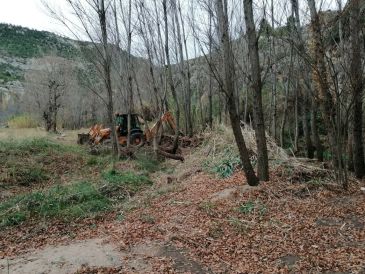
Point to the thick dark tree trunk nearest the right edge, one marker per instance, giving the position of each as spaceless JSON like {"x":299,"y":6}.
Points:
{"x":357,"y":88}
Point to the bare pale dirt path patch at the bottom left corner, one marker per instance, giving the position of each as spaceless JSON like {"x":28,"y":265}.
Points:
{"x":83,"y":256}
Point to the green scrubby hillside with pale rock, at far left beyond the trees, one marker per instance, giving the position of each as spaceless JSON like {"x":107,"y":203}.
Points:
{"x":18,"y":45}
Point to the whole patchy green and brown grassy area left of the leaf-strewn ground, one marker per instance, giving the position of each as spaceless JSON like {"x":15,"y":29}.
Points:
{"x":84,"y":185}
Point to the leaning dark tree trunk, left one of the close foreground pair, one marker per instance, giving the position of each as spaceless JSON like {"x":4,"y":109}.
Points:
{"x":228,"y":84}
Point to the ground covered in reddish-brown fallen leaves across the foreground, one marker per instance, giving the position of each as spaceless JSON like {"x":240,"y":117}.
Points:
{"x":276,"y":227}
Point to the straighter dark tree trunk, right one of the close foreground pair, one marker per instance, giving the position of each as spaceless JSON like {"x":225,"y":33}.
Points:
{"x":256,"y":86}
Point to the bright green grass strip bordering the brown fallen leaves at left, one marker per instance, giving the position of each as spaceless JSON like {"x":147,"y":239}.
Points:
{"x":72,"y":201}
